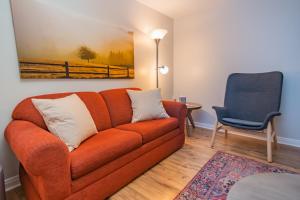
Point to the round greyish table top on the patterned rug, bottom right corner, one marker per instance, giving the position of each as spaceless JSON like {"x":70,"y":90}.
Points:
{"x":266,"y":186}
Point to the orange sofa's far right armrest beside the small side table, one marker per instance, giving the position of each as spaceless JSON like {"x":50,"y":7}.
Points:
{"x":177,"y":110}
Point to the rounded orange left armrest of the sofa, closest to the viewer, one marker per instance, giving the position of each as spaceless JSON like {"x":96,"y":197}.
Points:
{"x":44,"y":157}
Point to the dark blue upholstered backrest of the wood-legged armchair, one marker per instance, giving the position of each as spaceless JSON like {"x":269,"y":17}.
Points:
{"x":253,"y":96}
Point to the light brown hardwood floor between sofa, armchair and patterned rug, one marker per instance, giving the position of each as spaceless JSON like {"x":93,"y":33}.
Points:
{"x":165,"y":180}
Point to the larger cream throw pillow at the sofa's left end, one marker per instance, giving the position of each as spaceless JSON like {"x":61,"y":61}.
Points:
{"x":68,"y":118}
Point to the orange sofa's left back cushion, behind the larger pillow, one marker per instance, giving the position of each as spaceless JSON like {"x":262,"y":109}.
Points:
{"x":94,"y":102}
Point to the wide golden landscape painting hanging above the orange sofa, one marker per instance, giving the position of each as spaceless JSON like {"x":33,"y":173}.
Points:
{"x":56,"y":42}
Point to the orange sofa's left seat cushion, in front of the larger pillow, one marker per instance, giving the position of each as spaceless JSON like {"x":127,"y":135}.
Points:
{"x":102,"y":148}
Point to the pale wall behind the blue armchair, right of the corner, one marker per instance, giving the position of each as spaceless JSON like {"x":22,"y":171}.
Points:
{"x":239,"y":36}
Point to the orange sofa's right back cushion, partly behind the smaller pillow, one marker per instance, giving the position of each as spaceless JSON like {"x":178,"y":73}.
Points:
{"x":119,"y":105}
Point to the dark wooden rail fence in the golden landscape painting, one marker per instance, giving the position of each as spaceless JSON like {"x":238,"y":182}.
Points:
{"x":68,"y":72}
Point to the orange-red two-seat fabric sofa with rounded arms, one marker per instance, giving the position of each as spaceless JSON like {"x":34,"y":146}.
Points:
{"x":103,"y":163}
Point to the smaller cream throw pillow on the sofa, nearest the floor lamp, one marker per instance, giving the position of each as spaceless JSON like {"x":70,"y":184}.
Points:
{"x":146,"y":105}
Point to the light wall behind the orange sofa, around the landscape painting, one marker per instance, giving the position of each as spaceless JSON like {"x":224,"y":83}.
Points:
{"x":126,"y":13}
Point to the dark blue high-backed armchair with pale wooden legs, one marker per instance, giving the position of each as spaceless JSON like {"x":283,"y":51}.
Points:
{"x":251,"y":103}
